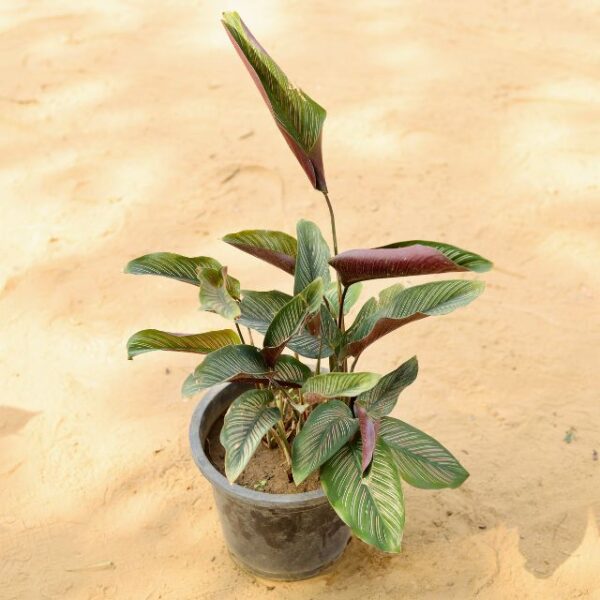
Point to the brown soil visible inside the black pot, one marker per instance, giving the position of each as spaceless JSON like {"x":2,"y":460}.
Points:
{"x":267,"y":470}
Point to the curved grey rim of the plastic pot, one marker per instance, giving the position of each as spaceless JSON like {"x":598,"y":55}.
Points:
{"x":300,"y":500}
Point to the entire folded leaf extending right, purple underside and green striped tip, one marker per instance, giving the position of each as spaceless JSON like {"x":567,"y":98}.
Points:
{"x":404,"y":259}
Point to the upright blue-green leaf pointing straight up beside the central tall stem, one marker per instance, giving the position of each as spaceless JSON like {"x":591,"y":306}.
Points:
{"x":312,"y":261}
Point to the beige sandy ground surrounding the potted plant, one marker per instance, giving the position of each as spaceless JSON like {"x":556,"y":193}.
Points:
{"x":130,"y":126}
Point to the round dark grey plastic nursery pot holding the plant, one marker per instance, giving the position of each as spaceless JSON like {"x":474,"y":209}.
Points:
{"x":276,"y":536}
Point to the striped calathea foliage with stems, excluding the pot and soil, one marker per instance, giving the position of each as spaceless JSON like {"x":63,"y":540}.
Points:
{"x":336,"y":422}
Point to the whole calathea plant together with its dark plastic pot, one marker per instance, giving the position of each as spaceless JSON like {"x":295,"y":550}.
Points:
{"x":324,"y":433}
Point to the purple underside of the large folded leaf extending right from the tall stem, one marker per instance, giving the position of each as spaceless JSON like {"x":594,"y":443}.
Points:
{"x":380,"y":263}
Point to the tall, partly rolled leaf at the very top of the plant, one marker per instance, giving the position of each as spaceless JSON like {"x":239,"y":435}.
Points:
{"x":299,"y":118}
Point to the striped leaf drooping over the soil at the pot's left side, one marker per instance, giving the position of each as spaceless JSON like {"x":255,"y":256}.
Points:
{"x":246,"y":422}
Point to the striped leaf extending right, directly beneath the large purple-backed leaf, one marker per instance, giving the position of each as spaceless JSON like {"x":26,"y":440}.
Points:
{"x":402,"y":306}
